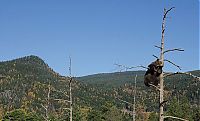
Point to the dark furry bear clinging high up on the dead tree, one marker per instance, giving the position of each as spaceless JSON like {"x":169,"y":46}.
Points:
{"x":152,"y":74}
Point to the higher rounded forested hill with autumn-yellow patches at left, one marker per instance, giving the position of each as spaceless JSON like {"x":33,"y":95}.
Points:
{"x":24,"y":84}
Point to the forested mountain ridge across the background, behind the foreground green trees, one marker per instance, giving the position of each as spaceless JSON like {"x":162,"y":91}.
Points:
{"x":28,"y":78}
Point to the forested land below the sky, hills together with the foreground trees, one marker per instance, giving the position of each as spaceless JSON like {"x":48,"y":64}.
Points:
{"x":26,"y":83}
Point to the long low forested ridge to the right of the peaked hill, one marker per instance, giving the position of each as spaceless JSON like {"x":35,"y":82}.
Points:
{"x":122,"y":83}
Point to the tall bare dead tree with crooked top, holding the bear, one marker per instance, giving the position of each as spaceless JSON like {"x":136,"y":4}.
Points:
{"x":160,"y":88}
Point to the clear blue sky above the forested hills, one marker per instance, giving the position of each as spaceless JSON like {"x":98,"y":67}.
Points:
{"x":99,"y":33}
